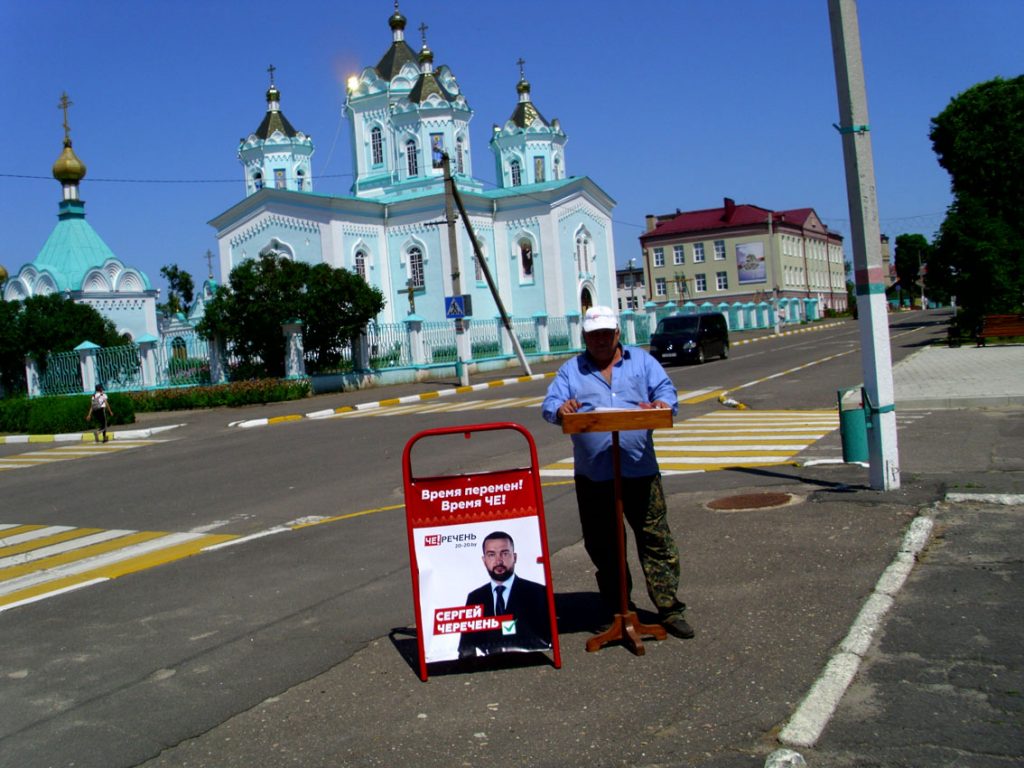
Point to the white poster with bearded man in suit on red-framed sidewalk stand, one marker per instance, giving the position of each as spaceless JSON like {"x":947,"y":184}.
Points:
{"x":460,"y":567}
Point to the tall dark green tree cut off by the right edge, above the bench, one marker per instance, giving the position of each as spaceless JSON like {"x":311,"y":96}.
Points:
{"x":979,"y":254}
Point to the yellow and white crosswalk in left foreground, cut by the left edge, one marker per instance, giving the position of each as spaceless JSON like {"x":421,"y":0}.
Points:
{"x":39,"y":562}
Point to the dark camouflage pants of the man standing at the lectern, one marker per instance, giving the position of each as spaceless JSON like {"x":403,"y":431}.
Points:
{"x":646,"y":510}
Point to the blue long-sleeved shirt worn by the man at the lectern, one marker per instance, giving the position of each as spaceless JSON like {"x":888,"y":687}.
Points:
{"x":635,"y":378}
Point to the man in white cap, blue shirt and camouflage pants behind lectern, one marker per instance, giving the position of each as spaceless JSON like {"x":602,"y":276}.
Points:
{"x":609,"y":375}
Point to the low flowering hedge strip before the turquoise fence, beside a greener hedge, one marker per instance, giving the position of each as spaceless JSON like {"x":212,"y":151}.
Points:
{"x":251,"y":393}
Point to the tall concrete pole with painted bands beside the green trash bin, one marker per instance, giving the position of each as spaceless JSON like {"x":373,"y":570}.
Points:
{"x":868,"y":272}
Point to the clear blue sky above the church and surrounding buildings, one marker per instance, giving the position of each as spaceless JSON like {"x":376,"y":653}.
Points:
{"x":666,"y":105}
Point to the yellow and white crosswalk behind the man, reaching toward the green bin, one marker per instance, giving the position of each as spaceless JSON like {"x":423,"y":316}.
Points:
{"x":731,"y":439}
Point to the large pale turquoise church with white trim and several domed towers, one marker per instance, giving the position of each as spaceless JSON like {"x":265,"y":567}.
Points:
{"x":547,"y":237}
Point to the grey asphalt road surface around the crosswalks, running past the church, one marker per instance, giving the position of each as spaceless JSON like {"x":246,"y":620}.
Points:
{"x":114,"y":674}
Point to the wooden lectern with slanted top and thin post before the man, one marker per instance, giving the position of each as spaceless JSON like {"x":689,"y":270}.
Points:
{"x":626,"y":626}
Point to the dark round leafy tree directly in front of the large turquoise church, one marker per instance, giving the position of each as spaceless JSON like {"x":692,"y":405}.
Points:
{"x":333,"y":306}
